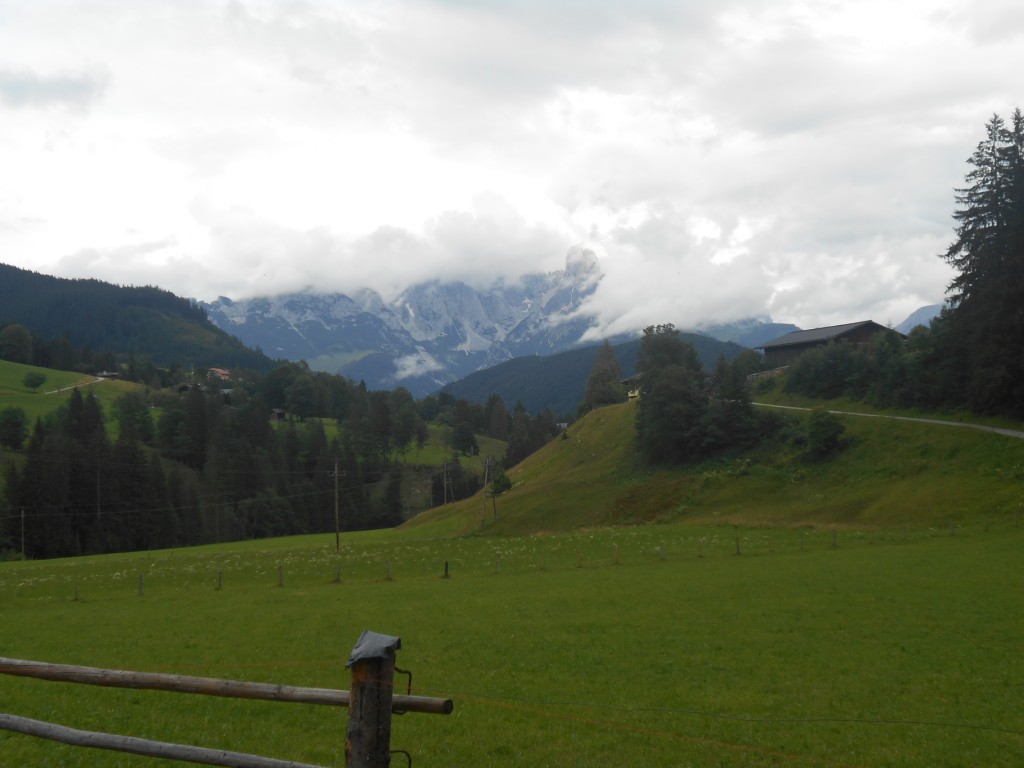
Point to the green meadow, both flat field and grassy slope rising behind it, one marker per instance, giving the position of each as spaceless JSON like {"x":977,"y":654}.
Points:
{"x":759,"y":610}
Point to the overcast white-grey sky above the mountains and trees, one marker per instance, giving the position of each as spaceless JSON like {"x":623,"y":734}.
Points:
{"x":723,"y":159}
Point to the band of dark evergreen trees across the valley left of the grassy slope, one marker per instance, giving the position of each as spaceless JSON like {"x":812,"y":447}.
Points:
{"x":209,"y":464}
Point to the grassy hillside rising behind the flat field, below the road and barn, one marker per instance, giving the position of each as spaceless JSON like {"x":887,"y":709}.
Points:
{"x":890,"y":475}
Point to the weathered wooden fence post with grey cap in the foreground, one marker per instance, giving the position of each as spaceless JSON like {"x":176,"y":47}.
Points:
{"x":368,"y":743}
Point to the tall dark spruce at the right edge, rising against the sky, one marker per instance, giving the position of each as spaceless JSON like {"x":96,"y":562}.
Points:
{"x":988,"y":294}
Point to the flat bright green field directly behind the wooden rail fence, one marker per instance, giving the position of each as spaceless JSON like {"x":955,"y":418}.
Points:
{"x":651,"y":646}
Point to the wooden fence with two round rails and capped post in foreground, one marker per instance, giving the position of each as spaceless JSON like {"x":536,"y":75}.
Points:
{"x":371,"y":704}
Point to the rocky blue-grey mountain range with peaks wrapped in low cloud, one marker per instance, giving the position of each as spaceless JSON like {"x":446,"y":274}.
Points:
{"x":434,"y":334}
